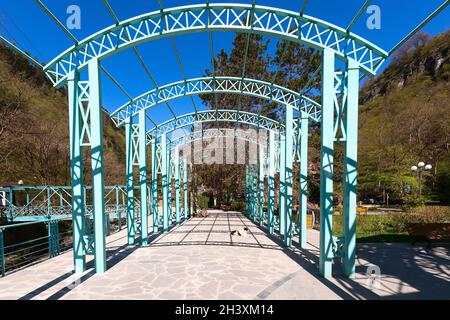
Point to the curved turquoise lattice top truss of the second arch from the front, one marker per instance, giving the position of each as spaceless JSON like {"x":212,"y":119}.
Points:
{"x":234,"y":85}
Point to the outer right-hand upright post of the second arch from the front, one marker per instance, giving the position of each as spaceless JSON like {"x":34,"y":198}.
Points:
{"x":303,"y":192}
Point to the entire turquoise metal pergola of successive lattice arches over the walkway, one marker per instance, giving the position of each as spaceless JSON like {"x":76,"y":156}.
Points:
{"x":346,"y":58}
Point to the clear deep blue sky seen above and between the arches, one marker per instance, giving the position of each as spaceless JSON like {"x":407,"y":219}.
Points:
{"x":26,"y":25}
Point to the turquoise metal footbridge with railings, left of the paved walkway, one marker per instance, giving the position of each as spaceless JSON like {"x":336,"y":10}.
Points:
{"x":39,"y":221}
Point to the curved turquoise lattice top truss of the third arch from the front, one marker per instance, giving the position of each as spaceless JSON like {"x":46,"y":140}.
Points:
{"x":214,"y":116}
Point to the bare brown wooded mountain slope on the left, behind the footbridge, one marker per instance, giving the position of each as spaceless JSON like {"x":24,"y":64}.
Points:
{"x":34,"y":129}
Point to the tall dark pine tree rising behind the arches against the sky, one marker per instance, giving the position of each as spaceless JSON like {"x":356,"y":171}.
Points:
{"x":293,"y":66}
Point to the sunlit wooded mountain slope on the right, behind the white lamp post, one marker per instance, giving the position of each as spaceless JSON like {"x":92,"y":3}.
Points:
{"x":405,"y":118}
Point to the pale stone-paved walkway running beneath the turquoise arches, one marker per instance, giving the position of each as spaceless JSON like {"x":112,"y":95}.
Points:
{"x":201,"y":259}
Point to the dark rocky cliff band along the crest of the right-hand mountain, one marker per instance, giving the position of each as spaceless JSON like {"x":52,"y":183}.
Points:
{"x":431,"y":59}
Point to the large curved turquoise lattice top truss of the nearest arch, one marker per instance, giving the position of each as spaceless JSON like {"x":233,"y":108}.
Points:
{"x":276,"y":22}
